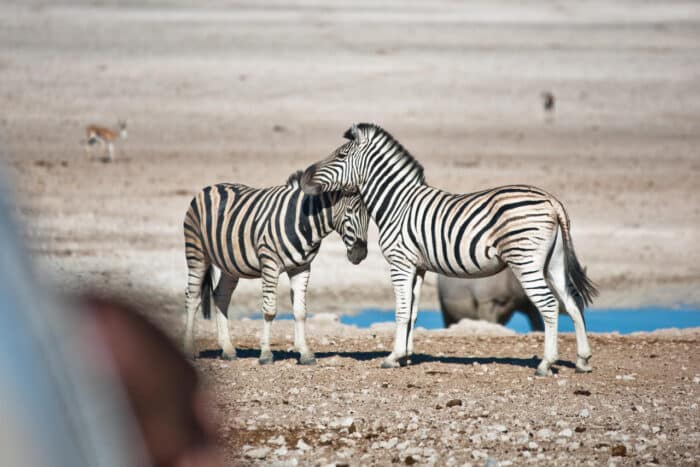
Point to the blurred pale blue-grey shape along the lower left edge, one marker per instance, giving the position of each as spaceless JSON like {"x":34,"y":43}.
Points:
{"x":56,"y":409}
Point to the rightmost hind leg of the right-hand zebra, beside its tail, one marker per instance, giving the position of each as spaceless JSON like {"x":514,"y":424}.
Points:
{"x":557,"y":278}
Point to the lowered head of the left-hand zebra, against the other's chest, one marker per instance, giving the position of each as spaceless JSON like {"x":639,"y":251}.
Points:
{"x":351,"y":220}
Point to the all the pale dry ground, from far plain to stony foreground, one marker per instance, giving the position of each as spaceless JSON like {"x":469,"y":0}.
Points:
{"x":232,"y":91}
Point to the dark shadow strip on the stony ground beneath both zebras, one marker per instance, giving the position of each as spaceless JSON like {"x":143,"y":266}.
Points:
{"x":416,"y":359}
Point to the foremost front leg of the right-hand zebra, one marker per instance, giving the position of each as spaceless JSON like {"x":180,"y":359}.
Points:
{"x":403,"y":279}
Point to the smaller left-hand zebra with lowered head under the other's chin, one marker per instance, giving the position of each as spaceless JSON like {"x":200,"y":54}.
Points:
{"x":260,"y":233}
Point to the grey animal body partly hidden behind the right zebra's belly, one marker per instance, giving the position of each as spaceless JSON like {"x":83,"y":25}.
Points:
{"x":493,"y":299}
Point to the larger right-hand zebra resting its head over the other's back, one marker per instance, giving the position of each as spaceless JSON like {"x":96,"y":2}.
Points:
{"x":422,"y":228}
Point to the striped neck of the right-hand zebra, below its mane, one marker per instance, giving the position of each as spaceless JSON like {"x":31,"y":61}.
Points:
{"x":394,"y":178}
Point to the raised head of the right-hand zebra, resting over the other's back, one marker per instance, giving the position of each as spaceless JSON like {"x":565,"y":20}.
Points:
{"x":342,"y":169}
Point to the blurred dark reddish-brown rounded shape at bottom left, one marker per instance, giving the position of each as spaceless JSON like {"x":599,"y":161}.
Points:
{"x":162,"y":387}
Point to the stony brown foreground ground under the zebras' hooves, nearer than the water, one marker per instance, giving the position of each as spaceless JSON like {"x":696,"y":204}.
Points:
{"x":466,"y":398}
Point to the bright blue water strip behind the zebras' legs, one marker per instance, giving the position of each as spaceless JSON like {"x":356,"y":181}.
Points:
{"x":624,"y":321}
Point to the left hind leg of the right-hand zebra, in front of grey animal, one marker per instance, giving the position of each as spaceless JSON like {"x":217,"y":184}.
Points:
{"x":539,"y":293}
